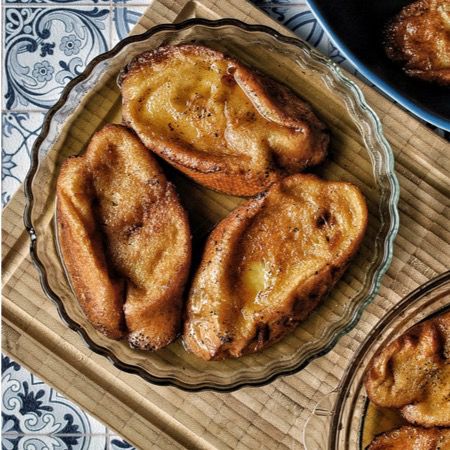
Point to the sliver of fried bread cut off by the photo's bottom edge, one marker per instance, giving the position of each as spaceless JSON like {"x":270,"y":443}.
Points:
{"x":412,"y":438}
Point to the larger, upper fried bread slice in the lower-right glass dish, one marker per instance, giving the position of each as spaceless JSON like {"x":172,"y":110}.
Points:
{"x":413,"y":373}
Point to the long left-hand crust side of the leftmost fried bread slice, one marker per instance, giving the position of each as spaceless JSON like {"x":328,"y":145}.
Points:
{"x":100,"y":295}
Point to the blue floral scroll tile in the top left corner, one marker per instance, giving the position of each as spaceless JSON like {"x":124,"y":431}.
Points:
{"x":47,"y":47}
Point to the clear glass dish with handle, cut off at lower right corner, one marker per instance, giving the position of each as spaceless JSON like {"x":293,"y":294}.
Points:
{"x":338,"y":421}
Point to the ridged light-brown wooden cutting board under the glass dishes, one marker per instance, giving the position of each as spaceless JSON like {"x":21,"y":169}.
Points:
{"x":269,"y":417}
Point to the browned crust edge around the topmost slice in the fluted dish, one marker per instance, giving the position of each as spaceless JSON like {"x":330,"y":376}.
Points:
{"x":274,"y":101}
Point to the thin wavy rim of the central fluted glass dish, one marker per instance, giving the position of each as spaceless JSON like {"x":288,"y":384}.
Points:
{"x":172,"y":381}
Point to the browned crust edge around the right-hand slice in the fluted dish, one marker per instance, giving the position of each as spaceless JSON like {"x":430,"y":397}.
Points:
{"x":278,"y":323}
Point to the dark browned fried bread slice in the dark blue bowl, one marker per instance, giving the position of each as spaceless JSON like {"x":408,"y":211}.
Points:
{"x":419,"y":39}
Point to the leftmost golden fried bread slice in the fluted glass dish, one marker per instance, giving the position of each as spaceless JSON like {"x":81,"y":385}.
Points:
{"x":124,"y":238}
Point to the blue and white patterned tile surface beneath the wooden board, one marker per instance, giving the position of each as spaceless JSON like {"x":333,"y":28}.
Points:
{"x":47,"y":43}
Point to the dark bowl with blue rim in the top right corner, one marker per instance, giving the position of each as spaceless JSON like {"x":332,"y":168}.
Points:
{"x":356,"y":28}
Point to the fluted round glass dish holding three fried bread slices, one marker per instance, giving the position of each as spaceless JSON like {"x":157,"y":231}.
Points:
{"x":359,"y":154}
